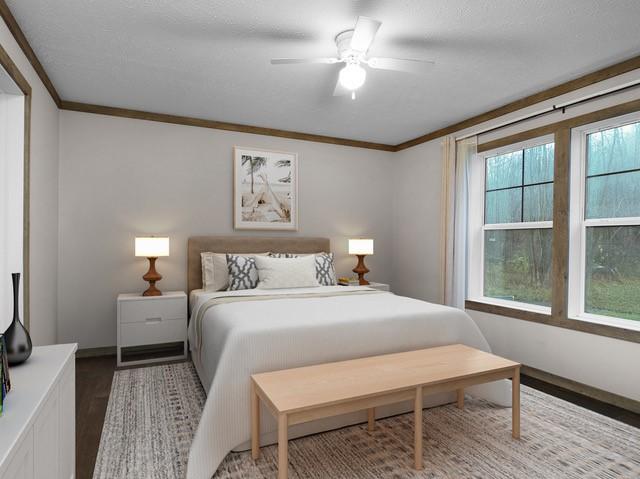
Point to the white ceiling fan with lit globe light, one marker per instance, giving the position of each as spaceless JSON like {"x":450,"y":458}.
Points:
{"x":353,"y":46}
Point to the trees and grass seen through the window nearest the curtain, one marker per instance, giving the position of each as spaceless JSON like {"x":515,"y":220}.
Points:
{"x":519,"y":189}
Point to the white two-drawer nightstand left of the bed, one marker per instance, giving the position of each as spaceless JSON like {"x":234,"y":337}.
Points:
{"x":150,"y":320}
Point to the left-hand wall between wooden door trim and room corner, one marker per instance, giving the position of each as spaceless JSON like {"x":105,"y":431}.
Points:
{"x":44,"y":200}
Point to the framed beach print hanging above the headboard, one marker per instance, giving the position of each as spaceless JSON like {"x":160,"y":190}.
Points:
{"x":265,"y":191}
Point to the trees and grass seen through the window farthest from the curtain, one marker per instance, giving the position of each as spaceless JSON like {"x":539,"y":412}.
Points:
{"x":612,"y":263}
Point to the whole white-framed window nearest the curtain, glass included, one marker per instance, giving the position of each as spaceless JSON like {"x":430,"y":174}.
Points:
{"x":510,"y":235}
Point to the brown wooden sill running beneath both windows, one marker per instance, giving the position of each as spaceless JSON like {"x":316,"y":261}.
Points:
{"x":559,"y":322}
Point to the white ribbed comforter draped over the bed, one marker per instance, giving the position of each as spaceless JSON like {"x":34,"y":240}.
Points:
{"x":243,"y":338}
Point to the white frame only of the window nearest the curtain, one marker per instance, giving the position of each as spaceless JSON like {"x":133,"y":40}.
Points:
{"x":477,"y":226}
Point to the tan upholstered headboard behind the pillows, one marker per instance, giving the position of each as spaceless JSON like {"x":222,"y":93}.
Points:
{"x":245,"y":244}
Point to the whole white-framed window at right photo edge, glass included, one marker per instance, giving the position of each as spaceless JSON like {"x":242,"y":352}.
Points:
{"x":605,"y":234}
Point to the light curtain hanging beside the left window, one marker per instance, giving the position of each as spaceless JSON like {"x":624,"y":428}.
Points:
{"x":457,"y":156}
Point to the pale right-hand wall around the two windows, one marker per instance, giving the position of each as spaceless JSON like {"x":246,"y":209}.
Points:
{"x":601,"y":362}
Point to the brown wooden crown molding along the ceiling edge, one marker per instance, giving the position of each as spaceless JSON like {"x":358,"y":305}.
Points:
{"x":566,"y":87}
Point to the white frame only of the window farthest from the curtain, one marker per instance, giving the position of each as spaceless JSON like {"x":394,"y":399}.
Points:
{"x":578,"y":224}
